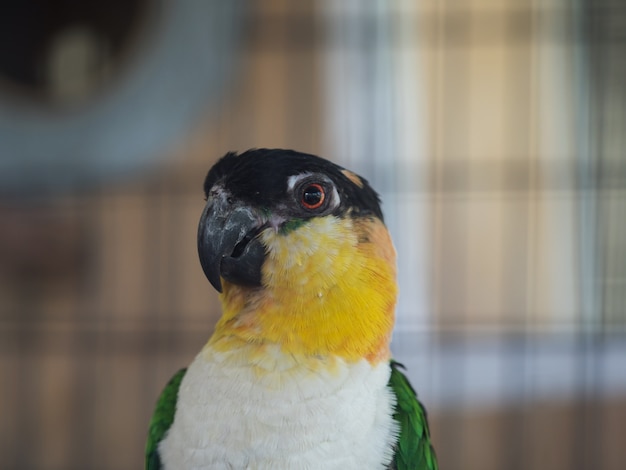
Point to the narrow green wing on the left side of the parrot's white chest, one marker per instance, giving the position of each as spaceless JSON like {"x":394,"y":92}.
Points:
{"x":162,"y":419}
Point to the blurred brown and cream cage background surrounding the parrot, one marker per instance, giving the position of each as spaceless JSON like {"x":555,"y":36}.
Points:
{"x":495,"y":132}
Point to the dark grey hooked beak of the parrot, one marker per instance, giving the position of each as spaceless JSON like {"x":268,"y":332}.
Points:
{"x":228,"y":244}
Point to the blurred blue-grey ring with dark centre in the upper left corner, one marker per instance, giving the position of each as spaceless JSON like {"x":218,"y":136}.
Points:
{"x":94,"y":91}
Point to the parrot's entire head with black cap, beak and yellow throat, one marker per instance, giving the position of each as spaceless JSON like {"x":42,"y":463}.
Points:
{"x":297,"y":247}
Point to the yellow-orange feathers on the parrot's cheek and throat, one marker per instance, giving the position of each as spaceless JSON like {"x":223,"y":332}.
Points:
{"x":329,"y":290}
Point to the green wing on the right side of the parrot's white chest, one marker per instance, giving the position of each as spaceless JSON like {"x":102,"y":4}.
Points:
{"x":414,"y":450}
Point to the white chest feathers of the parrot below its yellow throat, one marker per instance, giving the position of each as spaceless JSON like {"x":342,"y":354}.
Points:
{"x":280,"y":415}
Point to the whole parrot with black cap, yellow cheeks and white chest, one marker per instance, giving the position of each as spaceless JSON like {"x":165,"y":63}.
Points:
{"x":298,"y":372}
